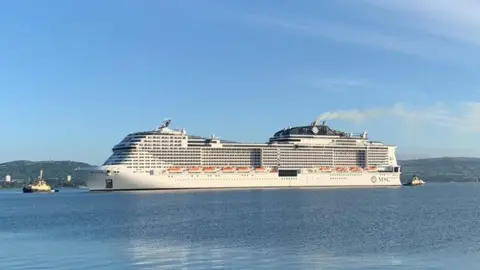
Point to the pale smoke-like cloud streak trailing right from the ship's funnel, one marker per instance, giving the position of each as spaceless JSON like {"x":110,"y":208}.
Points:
{"x":461,"y":117}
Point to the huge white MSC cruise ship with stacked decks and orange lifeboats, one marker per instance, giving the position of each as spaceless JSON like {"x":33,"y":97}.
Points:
{"x":313,"y":155}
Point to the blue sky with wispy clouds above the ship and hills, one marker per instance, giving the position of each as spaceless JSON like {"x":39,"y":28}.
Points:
{"x":77,"y":76}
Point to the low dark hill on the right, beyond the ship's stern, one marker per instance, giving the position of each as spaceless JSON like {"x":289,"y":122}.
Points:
{"x":446,"y":169}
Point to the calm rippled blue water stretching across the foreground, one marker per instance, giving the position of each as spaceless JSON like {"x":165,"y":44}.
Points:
{"x":432,"y":227}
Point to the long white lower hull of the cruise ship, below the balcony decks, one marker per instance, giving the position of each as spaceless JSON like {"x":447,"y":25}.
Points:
{"x":126,"y":179}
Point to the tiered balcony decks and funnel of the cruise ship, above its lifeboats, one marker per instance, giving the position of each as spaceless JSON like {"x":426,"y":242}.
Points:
{"x":308,"y":145}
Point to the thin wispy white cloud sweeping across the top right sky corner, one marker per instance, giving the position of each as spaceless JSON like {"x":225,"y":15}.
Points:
{"x":433,"y":29}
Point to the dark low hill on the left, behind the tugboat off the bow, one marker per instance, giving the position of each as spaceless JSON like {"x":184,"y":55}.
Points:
{"x":53,"y":171}
